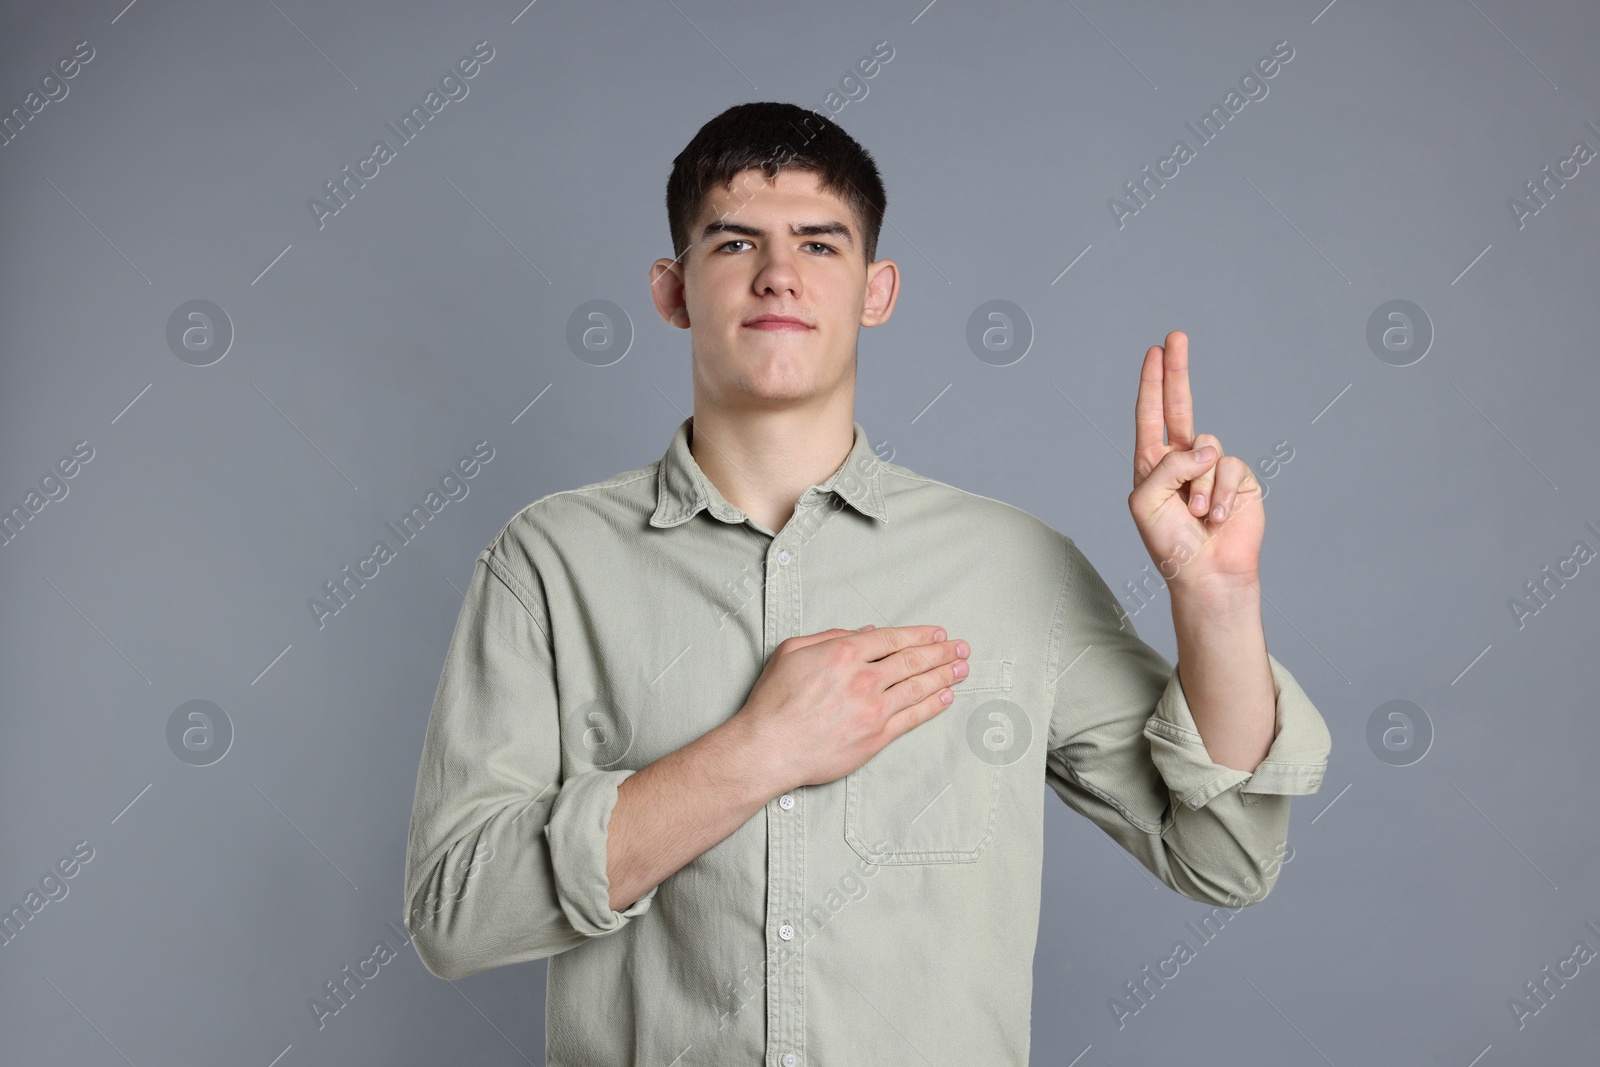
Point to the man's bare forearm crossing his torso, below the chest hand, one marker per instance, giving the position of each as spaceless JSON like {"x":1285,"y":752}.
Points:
{"x":681,"y":805}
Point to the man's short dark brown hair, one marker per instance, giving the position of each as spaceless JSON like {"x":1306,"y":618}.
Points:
{"x":772,"y":135}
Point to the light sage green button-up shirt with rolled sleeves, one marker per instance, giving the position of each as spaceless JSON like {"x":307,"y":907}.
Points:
{"x":884,"y":919}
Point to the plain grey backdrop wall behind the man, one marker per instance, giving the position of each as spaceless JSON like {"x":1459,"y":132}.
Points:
{"x":431,"y":313}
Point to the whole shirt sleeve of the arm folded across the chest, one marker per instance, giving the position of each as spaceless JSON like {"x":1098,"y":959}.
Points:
{"x":506,"y":861}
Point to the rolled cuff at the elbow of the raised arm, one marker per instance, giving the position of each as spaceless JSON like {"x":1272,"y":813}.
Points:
{"x":1295,"y":764}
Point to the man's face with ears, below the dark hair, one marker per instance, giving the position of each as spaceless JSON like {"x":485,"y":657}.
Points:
{"x":769,"y":250}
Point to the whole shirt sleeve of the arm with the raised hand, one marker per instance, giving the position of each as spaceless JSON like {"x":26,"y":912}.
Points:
{"x":1124,"y":751}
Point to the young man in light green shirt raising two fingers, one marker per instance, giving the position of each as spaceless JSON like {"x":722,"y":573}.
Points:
{"x":753,"y":741}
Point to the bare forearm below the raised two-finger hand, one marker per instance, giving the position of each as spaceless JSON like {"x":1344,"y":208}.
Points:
{"x":1223,"y":669}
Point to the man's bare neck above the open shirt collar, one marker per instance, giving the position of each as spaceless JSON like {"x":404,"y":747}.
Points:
{"x":764,"y":462}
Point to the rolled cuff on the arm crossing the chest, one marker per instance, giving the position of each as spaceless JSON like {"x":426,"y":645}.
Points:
{"x":577,"y":834}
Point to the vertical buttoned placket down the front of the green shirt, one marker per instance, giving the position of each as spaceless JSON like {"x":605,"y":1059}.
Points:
{"x":785,"y":839}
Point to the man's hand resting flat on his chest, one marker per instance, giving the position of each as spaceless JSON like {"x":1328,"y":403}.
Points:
{"x":828,"y":703}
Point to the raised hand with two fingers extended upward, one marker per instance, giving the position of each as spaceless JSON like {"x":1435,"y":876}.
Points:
{"x":1199,"y":513}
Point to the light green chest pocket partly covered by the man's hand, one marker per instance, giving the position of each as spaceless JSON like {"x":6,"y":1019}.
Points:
{"x":929,"y":797}
